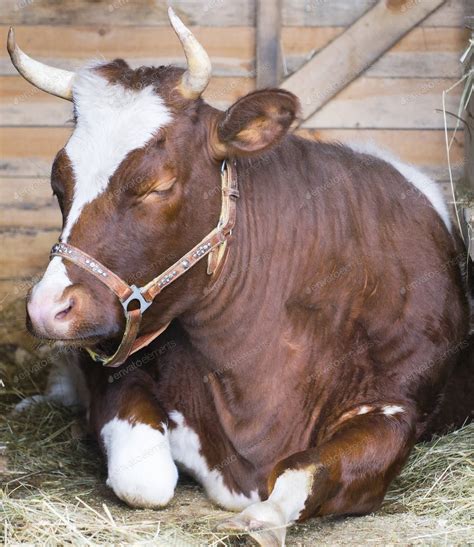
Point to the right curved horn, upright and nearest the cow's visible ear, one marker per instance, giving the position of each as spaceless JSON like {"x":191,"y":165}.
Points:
{"x":198,"y":74}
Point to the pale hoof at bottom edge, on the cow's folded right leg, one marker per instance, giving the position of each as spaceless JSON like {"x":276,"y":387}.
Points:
{"x":262,"y":533}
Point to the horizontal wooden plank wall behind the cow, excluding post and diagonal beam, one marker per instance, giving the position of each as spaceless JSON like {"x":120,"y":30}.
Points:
{"x":395,"y":102}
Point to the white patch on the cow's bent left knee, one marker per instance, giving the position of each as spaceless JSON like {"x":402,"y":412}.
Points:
{"x":141,"y":470}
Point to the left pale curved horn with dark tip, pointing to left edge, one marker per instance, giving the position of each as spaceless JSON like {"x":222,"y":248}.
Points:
{"x":52,"y":80}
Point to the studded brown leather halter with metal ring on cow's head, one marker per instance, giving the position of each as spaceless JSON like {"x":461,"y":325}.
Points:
{"x":213,"y":246}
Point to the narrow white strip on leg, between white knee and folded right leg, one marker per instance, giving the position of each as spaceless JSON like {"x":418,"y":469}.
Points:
{"x":186,"y":450}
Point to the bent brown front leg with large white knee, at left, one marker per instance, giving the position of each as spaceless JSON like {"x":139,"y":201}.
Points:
{"x":132,"y":430}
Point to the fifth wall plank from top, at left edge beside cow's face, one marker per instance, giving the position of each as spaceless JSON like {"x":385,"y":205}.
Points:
{"x":28,"y":203}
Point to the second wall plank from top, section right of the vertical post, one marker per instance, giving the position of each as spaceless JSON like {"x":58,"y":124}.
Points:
{"x":423,"y":53}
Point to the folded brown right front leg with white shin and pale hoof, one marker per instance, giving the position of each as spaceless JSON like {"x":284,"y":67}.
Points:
{"x":348,"y":473}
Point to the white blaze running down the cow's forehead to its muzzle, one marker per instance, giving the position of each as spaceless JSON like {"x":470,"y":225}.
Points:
{"x":111,"y":122}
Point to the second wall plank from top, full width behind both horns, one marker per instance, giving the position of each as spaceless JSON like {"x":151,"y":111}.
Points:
{"x":423,"y":52}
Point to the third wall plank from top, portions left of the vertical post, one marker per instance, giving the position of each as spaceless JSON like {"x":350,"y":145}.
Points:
{"x":23,"y":104}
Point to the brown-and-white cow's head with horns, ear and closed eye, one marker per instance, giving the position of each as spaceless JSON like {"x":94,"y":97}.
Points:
{"x":138,"y":182}
